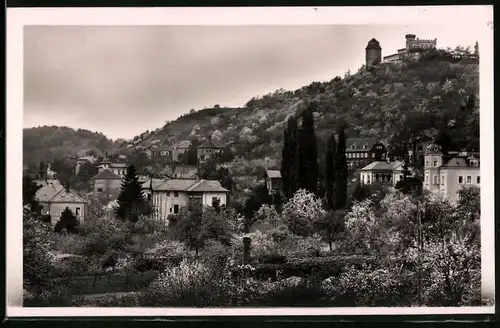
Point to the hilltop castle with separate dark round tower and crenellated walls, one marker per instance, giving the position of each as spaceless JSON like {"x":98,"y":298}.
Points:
{"x":414,"y":47}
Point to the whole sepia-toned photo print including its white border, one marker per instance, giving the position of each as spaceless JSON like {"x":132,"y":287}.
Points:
{"x":342,"y":162}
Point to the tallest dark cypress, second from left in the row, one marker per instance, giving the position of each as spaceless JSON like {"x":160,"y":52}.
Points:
{"x":308,"y":152}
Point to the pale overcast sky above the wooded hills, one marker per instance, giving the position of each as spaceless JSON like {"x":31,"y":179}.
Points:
{"x":124,"y":80}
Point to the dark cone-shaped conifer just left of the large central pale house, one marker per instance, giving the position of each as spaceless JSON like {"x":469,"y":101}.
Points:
{"x":131,"y":199}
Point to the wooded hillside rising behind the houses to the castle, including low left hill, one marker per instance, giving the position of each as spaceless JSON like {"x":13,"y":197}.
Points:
{"x":392,"y":102}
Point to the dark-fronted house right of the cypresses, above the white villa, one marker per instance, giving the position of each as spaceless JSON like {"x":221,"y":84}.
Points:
{"x":362,"y":151}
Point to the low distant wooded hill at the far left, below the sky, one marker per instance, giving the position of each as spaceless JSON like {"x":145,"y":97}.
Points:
{"x":47,"y":143}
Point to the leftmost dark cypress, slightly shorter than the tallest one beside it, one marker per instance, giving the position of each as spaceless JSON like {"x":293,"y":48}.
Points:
{"x":289,"y":158}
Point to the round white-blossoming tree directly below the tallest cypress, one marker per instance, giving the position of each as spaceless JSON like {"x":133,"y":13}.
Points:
{"x":301,"y":212}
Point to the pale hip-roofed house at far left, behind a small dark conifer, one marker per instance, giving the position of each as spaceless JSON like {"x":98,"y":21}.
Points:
{"x":54,"y":199}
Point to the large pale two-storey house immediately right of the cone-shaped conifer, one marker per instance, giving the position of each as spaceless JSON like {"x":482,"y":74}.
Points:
{"x":169,"y":196}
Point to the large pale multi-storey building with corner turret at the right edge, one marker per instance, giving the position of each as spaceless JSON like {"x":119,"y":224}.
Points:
{"x":449,"y":175}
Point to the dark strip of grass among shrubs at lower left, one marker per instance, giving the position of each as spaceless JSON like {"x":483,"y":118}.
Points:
{"x":82,"y":285}
